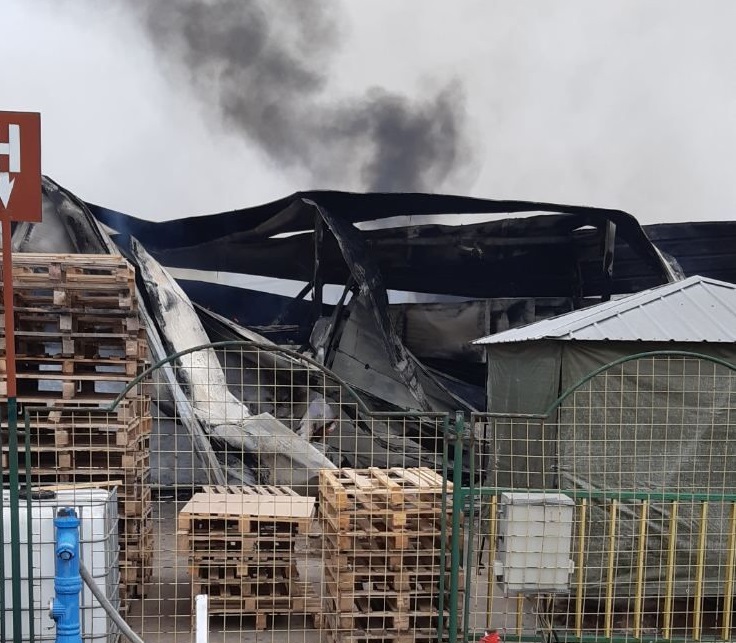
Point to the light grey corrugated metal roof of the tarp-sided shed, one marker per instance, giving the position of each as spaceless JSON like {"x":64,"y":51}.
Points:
{"x":696,"y":309}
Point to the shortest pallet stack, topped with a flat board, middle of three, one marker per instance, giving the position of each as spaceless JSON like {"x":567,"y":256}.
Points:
{"x":241,"y":547}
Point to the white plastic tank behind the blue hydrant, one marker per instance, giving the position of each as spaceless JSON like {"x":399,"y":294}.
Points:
{"x":98,"y":513}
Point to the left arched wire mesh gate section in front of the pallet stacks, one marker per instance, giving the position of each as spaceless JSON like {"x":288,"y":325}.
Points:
{"x":171,"y":550}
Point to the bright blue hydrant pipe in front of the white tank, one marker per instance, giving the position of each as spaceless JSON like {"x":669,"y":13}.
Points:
{"x":65,"y":607}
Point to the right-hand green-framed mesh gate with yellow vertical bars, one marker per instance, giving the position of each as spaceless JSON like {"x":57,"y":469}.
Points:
{"x":643,"y":448}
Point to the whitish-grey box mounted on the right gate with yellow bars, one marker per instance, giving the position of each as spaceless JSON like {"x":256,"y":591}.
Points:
{"x":534,"y":540}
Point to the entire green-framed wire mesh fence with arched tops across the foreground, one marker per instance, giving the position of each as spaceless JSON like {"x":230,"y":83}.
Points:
{"x":642,"y":449}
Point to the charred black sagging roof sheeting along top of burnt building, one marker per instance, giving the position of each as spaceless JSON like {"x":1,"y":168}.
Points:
{"x":556,"y":254}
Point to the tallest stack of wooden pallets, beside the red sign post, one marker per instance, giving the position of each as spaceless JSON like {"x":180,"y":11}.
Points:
{"x":79,"y":343}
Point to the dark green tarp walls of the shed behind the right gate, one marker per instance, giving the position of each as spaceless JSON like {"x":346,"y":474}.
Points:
{"x":647,"y":425}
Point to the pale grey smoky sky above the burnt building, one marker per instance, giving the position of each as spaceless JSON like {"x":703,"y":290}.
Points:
{"x":628,"y":104}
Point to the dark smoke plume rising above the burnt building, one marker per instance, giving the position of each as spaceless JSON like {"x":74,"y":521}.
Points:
{"x":264,"y":66}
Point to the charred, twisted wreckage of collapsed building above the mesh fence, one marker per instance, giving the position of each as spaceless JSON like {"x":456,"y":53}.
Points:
{"x":387,"y":290}
